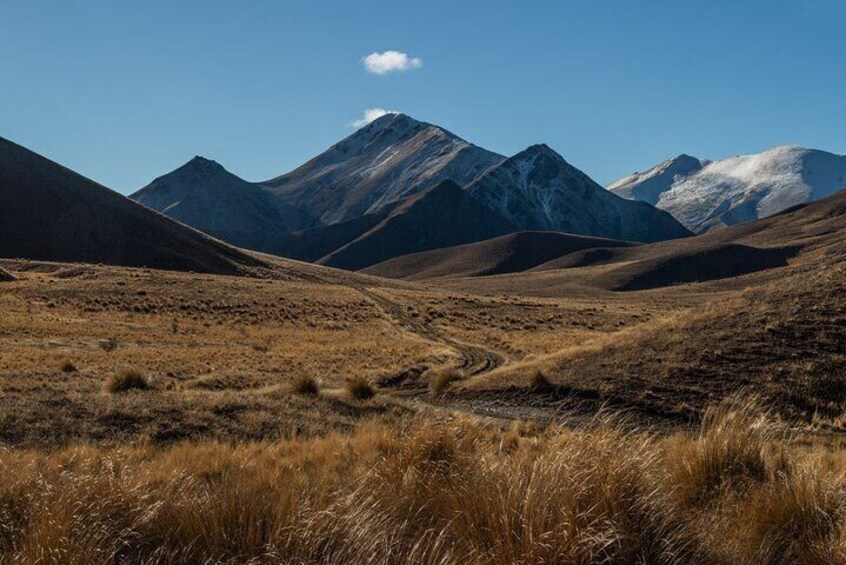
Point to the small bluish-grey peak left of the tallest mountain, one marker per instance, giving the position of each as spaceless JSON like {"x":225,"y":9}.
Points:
{"x":205,"y":196}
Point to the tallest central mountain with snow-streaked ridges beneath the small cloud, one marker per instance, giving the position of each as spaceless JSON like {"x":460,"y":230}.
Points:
{"x":393,"y":157}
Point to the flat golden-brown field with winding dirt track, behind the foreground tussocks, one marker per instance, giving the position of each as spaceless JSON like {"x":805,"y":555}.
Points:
{"x":221,"y":353}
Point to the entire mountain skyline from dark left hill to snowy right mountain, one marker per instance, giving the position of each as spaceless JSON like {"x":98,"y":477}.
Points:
{"x":395,"y":198}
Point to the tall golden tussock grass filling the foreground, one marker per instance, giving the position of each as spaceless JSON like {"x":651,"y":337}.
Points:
{"x":450,"y":490}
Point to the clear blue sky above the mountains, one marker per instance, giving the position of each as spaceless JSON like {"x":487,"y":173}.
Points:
{"x":125,"y":91}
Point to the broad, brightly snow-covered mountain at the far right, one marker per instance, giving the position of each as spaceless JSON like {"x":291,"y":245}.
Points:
{"x":747,"y":187}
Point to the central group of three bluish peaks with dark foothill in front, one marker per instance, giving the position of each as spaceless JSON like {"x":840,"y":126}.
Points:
{"x":366,"y":195}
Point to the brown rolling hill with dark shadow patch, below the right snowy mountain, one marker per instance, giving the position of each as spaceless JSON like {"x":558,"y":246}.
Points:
{"x":798,"y":236}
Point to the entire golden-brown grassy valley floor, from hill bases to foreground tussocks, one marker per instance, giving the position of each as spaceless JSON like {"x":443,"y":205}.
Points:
{"x":489,"y":437}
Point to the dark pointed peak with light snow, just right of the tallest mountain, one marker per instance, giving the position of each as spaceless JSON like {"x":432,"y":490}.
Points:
{"x":538,"y":190}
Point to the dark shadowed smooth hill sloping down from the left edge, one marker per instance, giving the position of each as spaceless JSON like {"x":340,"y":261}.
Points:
{"x":48,"y":212}
